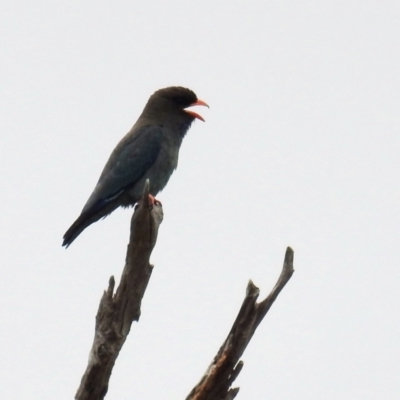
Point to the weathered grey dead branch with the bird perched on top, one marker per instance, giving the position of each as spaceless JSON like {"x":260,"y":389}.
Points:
{"x":117,"y":311}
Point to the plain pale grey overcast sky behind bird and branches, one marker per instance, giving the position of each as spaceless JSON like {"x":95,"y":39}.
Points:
{"x":301,"y":147}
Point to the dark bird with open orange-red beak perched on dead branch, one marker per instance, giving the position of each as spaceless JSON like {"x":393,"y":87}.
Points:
{"x":148,"y":151}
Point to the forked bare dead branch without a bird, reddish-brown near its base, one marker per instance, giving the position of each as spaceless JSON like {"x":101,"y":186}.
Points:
{"x":216,"y":382}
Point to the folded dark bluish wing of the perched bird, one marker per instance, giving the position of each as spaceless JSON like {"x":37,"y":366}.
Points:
{"x":127,"y":164}
